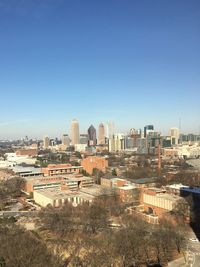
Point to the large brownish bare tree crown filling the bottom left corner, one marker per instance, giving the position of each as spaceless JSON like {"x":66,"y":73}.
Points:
{"x":20,"y":248}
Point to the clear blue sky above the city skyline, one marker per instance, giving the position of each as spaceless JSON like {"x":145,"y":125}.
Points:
{"x":134,"y":62}
